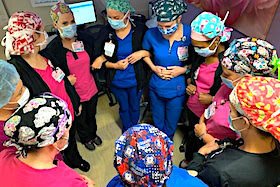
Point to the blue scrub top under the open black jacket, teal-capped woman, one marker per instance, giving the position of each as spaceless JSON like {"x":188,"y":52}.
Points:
{"x":125,"y":78}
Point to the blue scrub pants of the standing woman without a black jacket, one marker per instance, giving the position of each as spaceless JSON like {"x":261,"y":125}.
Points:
{"x":166,"y":112}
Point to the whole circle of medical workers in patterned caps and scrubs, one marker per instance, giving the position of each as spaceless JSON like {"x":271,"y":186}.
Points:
{"x":49,"y":93}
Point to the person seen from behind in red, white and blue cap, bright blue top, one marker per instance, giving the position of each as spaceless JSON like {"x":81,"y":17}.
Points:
{"x":149,"y":162}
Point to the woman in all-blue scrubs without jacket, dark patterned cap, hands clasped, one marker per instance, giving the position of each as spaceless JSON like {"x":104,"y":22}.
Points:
{"x":168,"y":43}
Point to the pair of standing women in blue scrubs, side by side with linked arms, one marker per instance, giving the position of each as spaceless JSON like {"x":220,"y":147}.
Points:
{"x":126,"y":48}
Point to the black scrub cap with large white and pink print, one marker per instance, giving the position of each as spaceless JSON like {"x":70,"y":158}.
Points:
{"x":41,"y":122}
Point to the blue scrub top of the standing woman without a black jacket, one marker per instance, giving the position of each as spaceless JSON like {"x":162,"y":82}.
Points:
{"x":165,"y":56}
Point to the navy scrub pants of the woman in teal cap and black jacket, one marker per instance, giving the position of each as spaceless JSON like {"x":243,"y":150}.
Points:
{"x":129,"y":102}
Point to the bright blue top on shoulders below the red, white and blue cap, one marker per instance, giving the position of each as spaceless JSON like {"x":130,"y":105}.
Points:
{"x":178,"y":178}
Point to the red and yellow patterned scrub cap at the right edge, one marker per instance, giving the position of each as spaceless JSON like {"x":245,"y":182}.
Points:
{"x":258,"y":98}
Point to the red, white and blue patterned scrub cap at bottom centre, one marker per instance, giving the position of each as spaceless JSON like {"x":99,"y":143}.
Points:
{"x":143,"y":156}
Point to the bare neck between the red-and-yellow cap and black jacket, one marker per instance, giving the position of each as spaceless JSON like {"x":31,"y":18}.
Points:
{"x":256,"y":143}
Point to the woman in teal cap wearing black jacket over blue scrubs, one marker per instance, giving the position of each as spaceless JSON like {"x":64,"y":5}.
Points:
{"x":121,"y":44}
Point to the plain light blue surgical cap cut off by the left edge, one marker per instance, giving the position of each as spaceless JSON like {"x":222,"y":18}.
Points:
{"x":9,"y":78}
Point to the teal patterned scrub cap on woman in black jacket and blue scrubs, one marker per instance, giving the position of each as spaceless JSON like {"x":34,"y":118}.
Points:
{"x":120,"y":5}
